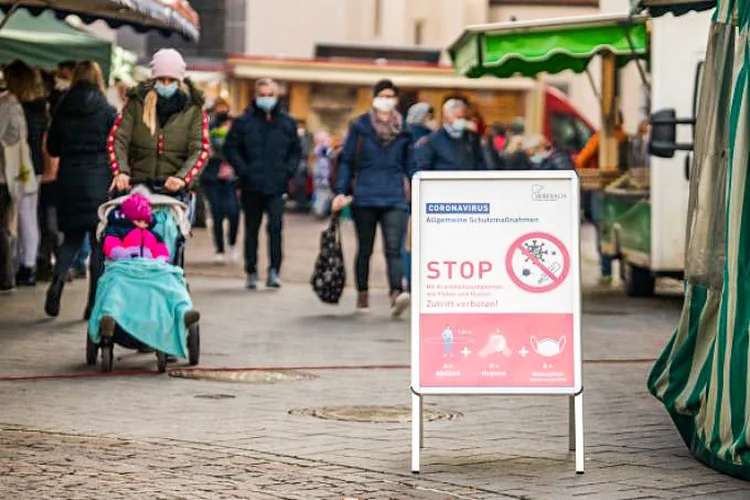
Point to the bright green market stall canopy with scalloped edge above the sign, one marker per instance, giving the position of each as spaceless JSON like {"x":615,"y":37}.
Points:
{"x":529,"y":48}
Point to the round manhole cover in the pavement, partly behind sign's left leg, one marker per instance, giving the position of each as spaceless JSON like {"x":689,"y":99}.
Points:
{"x":377,"y":414}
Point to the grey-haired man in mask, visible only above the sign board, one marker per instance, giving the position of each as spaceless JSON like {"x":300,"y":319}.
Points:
{"x":451,"y":147}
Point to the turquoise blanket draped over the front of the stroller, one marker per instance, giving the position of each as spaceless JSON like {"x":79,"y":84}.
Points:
{"x":148,"y":299}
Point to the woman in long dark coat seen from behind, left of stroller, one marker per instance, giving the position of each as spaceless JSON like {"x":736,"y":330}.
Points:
{"x":78,"y":136}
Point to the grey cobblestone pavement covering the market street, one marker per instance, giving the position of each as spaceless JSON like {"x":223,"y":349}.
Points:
{"x":143,"y":435}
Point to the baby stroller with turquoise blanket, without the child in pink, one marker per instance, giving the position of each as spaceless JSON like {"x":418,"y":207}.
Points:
{"x":145,"y":298}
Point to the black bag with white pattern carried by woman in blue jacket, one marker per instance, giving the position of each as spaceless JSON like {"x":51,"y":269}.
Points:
{"x":329,"y":277}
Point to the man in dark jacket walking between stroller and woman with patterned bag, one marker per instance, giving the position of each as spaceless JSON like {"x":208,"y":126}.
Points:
{"x":264,"y":149}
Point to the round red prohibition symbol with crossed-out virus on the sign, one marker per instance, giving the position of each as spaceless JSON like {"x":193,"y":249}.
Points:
{"x":537,"y":262}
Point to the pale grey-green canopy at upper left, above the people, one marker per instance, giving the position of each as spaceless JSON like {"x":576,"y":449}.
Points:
{"x":44,"y":41}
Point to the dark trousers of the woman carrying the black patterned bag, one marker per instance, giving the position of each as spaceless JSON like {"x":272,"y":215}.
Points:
{"x":393,"y":226}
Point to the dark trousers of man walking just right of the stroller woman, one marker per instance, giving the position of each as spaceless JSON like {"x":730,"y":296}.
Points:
{"x":254,"y":205}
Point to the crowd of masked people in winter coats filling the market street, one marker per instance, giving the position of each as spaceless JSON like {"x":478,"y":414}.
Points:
{"x":65,"y":149}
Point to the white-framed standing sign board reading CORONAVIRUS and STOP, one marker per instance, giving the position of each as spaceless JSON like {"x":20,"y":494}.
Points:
{"x":496,"y":286}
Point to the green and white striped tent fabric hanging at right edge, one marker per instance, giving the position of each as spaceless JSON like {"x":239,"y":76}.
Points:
{"x":702,"y":375}
